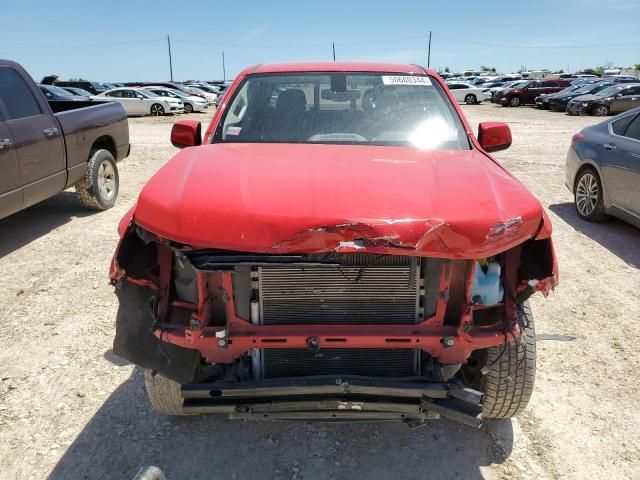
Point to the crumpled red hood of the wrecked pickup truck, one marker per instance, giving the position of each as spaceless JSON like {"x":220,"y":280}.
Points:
{"x":287,"y":198}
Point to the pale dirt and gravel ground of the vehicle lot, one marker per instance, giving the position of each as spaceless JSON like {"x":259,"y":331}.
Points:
{"x":71,"y":409}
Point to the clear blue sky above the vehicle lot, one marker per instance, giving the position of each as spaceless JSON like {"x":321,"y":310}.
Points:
{"x":116,"y":41}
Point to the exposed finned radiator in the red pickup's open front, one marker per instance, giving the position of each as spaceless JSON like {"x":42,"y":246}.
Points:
{"x":363,"y":289}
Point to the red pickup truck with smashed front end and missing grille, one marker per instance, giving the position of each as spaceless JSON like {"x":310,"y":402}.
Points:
{"x":340,"y":246}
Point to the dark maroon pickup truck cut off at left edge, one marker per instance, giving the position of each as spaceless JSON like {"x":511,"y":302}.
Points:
{"x":47,"y":147}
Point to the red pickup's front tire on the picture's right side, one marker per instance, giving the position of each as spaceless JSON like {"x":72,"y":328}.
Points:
{"x":508,"y":384}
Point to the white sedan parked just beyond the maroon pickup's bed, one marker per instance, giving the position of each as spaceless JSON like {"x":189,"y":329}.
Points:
{"x":137,"y":101}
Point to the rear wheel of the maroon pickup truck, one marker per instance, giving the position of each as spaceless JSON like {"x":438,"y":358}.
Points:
{"x":99,"y":188}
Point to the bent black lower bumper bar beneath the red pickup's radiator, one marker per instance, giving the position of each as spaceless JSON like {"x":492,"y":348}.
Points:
{"x":330,"y":398}
